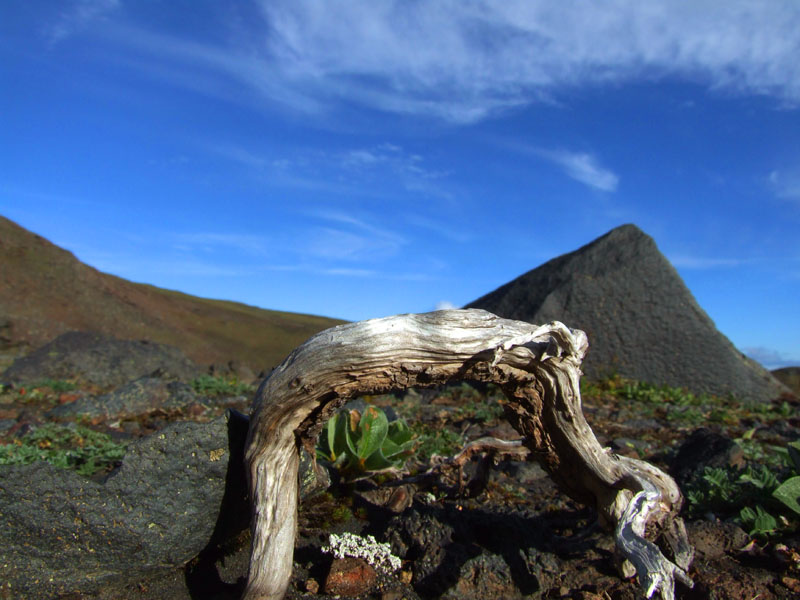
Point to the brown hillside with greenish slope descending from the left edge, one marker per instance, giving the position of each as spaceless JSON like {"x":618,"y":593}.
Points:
{"x":45,"y":291}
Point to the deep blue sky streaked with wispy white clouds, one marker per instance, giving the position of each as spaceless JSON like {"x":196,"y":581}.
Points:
{"x":364,"y":158}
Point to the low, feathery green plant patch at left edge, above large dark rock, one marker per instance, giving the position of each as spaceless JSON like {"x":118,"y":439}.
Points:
{"x":76,"y":447}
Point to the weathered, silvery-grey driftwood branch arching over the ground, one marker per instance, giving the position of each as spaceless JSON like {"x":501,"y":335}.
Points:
{"x":538,"y":369}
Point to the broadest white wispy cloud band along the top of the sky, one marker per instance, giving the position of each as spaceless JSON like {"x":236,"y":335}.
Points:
{"x":463,"y":62}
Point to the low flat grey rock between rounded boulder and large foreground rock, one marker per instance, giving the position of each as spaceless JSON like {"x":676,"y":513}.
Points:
{"x":135,"y":398}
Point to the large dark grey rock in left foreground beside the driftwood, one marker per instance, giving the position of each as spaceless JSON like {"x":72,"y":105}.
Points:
{"x":178,"y":494}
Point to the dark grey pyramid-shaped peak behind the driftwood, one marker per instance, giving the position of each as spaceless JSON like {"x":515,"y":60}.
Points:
{"x":641,"y":319}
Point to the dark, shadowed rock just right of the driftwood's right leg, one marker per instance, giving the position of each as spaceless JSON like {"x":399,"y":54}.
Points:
{"x":704,"y":448}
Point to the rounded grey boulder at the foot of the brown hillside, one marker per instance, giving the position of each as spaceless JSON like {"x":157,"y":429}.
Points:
{"x":100,"y":360}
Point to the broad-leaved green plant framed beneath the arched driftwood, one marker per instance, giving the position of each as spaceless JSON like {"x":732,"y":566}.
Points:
{"x":360,"y":444}
